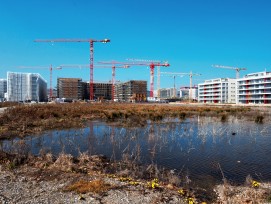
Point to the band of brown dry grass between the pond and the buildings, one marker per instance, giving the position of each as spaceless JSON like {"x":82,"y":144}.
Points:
{"x":26,"y":120}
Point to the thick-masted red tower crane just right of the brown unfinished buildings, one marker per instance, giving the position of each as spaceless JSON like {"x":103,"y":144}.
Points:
{"x":150,"y":63}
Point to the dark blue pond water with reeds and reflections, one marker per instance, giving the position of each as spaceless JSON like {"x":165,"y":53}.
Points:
{"x":199,"y":148}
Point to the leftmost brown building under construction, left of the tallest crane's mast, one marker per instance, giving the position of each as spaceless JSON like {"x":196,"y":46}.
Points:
{"x":70,"y":88}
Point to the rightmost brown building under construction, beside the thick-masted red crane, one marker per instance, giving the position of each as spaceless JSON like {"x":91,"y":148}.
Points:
{"x":131,"y":91}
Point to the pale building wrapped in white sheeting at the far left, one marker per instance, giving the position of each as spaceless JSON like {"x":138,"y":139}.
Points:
{"x":26,"y":87}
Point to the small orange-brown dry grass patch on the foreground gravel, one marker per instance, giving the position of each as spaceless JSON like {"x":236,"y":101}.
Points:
{"x":95,"y":186}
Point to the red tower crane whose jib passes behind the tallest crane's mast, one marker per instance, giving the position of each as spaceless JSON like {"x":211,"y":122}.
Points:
{"x":101,"y":66}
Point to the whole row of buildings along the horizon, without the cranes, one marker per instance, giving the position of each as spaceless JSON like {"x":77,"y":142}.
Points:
{"x":254,"y":88}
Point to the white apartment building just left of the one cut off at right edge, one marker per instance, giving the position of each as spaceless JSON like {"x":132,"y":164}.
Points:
{"x":221,"y":90}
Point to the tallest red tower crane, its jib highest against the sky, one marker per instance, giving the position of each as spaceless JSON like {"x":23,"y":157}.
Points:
{"x":91,"y":42}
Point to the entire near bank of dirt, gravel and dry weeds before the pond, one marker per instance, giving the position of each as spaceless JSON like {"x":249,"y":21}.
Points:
{"x":64,"y":180}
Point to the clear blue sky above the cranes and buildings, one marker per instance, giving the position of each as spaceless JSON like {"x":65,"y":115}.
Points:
{"x":190,"y":34}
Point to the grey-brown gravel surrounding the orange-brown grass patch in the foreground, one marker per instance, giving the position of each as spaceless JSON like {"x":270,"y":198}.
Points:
{"x":23,"y":185}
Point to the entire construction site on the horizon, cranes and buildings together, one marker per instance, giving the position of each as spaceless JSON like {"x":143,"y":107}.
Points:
{"x":227,"y":90}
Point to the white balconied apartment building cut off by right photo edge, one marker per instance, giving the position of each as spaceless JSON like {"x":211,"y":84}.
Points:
{"x":254,"y":88}
